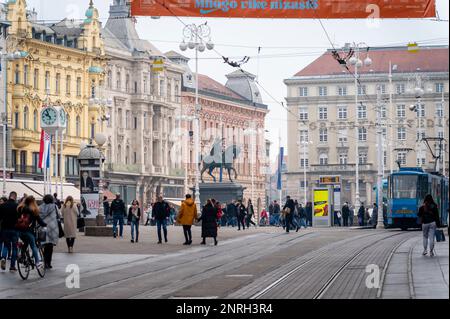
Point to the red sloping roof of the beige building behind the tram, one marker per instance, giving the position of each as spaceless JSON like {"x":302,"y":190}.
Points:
{"x":428,"y":59}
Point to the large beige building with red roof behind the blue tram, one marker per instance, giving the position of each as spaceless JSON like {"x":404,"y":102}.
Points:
{"x":324,"y":123}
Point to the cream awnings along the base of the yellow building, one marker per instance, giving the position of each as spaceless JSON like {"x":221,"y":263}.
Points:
{"x":36,"y":189}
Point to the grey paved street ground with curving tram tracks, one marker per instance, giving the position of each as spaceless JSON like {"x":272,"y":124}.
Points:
{"x":257,"y":263}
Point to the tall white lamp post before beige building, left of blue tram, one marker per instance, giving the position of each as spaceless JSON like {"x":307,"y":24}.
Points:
{"x":358,"y":63}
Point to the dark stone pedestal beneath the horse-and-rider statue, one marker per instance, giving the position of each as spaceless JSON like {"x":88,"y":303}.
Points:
{"x":222,"y":192}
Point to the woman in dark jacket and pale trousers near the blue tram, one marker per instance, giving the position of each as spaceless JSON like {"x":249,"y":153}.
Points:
{"x":429,"y":218}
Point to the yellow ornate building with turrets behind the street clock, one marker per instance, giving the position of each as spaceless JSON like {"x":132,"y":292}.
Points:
{"x":60,"y":64}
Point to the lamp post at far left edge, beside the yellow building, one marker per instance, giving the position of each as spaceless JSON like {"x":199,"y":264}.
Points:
{"x":5,"y":57}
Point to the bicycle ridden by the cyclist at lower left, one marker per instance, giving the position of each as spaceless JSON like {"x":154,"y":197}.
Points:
{"x":25,"y":261}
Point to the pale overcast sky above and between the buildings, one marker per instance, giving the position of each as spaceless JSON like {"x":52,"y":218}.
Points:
{"x":286,"y":45}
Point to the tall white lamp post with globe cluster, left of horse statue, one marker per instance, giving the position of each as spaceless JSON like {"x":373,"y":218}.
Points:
{"x":195,"y":37}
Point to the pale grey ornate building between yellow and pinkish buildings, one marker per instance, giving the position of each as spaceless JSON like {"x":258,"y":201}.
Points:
{"x":146,"y":102}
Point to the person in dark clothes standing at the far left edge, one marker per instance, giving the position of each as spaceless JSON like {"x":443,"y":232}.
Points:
{"x":8,"y":233}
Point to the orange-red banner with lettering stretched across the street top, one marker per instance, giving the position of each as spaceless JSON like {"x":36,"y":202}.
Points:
{"x":306,"y":9}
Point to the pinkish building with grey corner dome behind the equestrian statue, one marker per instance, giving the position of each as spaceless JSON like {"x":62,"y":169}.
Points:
{"x":232,"y":113}
